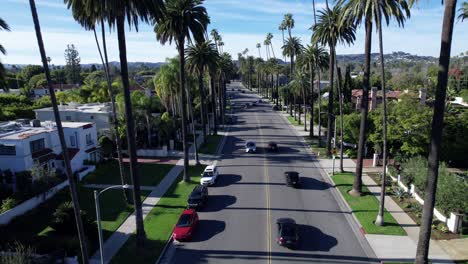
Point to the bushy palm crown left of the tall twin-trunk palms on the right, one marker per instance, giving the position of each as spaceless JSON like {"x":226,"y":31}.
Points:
{"x":332,"y":28}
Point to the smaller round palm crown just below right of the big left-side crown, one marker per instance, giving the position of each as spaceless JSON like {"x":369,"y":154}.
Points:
{"x":200,"y":55}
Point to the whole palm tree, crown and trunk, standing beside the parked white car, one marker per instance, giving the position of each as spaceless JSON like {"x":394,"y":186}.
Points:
{"x":183,"y":19}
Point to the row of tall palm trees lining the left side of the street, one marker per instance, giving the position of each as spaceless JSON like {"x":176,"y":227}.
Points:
{"x":178,"y":21}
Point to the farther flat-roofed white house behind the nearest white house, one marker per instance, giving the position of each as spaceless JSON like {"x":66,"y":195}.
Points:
{"x":98,"y":113}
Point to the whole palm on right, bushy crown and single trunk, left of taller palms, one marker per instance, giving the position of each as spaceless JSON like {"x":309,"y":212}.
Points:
{"x":331,"y":30}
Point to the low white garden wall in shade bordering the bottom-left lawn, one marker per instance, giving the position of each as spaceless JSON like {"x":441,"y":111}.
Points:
{"x":32,"y":203}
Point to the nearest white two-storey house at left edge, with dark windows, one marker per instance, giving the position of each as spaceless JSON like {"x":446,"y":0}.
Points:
{"x":23,"y":144}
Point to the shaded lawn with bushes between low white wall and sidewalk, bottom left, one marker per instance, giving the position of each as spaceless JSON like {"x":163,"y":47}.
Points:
{"x":33,"y":227}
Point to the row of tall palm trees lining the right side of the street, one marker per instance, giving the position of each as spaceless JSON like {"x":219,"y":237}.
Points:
{"x":337,"y":25}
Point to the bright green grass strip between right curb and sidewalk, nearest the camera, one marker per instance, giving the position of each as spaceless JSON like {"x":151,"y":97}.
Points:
{"x":366,"y":208}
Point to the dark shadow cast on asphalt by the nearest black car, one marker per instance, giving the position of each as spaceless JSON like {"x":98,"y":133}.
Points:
{"x":313,"y":239}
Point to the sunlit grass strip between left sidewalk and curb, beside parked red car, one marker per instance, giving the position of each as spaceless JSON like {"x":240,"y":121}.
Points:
{"x":160,"y":222}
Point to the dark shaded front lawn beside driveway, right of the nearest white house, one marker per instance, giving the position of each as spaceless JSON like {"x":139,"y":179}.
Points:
{"x":108,"y":173}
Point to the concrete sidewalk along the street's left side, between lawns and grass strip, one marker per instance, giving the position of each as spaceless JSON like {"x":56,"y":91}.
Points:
{"x":128,"y":227}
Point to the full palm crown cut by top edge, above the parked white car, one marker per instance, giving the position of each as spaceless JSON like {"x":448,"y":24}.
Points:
{"x":182,"y":18}
